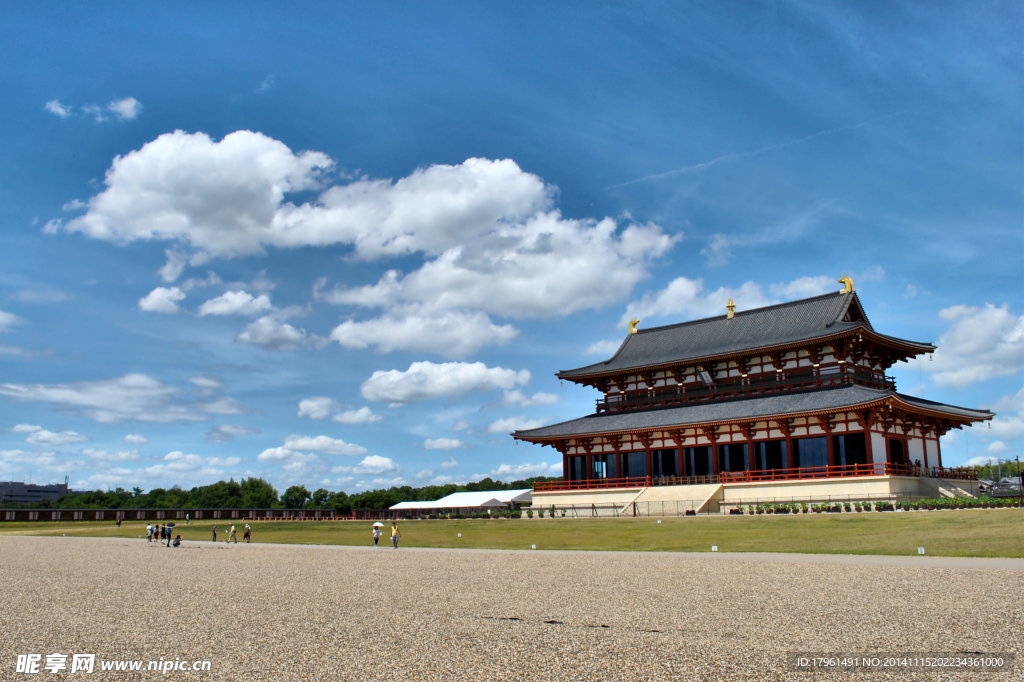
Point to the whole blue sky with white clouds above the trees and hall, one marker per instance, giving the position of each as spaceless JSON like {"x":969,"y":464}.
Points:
{"x":350,"y":246}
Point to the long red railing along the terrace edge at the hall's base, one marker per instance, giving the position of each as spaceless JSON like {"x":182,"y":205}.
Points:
{"x":803,"y":474}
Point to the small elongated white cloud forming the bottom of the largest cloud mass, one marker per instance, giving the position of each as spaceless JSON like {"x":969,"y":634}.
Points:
{"x":454,"y":334}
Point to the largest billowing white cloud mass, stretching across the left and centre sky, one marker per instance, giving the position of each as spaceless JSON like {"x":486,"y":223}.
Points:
{"x":493,"y":240}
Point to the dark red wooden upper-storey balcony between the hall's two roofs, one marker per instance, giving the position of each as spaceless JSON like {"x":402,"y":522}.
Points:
{"x":755,"y":386}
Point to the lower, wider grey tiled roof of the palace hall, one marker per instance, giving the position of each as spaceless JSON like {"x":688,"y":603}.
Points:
{"x":781,"y":405}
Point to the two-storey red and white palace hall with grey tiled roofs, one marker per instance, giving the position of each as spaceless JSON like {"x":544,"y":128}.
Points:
{"x":781,"y":394}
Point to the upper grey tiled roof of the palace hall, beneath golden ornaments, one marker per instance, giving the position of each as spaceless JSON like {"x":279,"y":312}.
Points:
{"x":749,"y":330}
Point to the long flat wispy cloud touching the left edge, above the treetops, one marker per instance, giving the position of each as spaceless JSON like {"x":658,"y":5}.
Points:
{"x":134,"y":397}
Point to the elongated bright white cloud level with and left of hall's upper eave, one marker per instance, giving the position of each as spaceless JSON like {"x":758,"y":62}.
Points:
{"x":426,"y":380}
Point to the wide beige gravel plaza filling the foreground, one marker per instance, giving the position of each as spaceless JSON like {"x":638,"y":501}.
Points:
{"x":309,"y":613}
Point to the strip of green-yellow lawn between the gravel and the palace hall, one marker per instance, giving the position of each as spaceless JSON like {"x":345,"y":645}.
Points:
{"x":965,"y":533}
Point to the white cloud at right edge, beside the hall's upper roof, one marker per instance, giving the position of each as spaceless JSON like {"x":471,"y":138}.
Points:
{"x":980,"y":345}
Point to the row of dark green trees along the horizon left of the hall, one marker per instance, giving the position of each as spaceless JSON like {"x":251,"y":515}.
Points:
{"x":260,"y":494}
